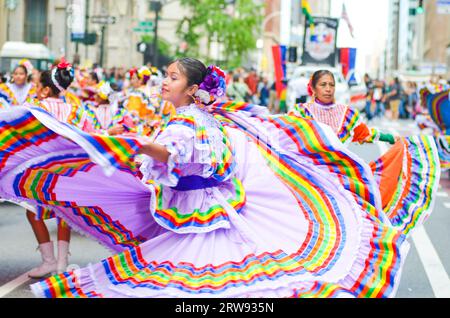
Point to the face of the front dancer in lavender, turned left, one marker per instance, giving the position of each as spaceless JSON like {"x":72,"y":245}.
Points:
{"x":175,"y":88}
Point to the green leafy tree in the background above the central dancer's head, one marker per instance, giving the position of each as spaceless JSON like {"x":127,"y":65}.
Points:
{"x":235,"y":26}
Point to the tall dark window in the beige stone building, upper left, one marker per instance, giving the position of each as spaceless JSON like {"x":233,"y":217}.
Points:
{"x":35,"y":21}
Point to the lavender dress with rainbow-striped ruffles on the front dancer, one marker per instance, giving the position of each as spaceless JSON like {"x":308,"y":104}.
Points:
{"x":248,"y":205}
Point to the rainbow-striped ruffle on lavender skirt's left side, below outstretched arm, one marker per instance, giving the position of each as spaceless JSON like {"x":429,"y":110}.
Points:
{"x":34,"y":179}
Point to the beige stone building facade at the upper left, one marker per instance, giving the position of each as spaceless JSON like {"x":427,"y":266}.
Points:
{"x":50,"y":22}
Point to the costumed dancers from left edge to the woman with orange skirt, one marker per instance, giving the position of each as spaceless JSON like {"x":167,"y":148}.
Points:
{"x":169,"y":172}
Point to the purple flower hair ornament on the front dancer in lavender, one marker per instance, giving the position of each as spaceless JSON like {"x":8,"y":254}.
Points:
{"x":212,"y":87}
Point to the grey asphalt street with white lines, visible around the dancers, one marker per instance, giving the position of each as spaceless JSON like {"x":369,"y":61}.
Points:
{"x":425,"y":273}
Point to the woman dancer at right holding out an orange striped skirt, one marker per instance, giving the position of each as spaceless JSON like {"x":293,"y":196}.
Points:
{"x":403,"y":173}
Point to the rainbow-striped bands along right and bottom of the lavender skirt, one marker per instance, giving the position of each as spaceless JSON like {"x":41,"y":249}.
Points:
{"x":376,"y":268}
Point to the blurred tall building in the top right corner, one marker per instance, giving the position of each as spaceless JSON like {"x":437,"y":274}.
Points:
{"x":408,"y":49}
